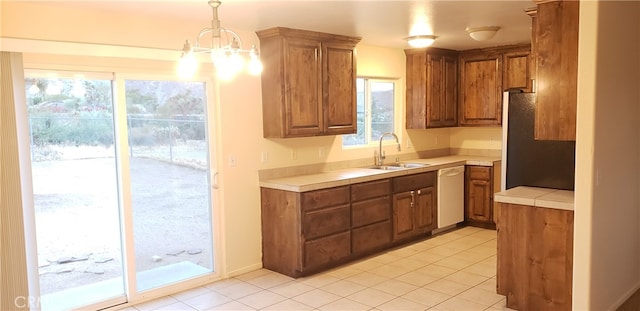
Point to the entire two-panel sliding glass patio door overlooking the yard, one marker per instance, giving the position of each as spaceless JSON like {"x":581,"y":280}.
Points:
{"x":112,"y":197}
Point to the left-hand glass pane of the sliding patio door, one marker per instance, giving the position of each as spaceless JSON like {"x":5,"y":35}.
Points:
{"x":75,"y":194}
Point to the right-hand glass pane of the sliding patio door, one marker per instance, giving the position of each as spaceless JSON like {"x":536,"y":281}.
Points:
{"x":168,"y":154}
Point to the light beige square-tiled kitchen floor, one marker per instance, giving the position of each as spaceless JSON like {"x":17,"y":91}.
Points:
{"x":451,"y":271}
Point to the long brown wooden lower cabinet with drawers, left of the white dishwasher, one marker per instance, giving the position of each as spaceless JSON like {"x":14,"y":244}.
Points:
{"x":308,"y":232}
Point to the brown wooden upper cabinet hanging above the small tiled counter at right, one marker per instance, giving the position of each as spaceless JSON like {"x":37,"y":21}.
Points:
{"x":556,"y":45}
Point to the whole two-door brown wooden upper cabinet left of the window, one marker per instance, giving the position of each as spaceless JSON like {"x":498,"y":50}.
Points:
{"x":308,"y":83}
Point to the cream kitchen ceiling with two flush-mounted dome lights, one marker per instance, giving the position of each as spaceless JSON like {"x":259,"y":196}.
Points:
{"x":379,"y":23}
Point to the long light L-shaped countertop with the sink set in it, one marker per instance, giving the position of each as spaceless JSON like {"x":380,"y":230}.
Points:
{"x":348,"y":176}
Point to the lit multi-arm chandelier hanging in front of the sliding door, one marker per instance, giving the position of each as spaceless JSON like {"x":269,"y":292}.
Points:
{"x":225,"y":50}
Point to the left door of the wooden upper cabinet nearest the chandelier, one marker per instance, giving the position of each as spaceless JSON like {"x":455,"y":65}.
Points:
{"x":303,"y":98}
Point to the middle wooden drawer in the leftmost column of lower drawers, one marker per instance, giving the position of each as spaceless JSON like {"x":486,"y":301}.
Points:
{"x":325,"y":221}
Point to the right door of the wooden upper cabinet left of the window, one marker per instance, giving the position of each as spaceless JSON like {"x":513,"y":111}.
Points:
{"x":339,"y":92}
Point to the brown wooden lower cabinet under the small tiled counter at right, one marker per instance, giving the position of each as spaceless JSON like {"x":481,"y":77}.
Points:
{"x":535,"y":256}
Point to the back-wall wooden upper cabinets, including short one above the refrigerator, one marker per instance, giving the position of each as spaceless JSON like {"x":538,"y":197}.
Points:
{"x":484,"y":75}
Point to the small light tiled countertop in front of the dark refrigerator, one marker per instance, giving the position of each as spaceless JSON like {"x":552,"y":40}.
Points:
{"x":540,"y":197}
